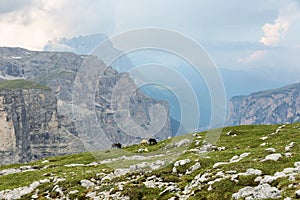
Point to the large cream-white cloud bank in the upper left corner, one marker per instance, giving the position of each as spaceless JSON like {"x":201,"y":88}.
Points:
{"x":34,"y":24}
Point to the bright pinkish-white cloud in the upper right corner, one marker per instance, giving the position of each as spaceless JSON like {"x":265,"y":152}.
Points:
{"x":274,"y":33}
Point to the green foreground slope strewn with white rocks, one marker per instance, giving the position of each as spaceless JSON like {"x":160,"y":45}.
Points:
{"x":247,"y":162}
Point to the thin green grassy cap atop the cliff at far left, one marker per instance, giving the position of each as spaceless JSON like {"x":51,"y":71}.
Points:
{"x":22,"y":84}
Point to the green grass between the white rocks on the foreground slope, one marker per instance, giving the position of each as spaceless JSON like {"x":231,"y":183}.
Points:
{"x":247,"y":140}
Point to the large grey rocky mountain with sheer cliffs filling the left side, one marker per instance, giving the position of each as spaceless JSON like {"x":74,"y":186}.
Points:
{"x":91,"y":112}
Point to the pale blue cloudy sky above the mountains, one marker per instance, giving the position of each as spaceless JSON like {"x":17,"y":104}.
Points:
{"x":238,"y":34}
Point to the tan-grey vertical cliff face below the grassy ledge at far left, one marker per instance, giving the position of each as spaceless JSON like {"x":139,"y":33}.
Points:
{"x":30,"y":127}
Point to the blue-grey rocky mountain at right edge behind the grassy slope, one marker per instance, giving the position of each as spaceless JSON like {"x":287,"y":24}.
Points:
{"x":267,"y":107}
